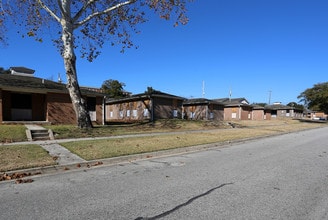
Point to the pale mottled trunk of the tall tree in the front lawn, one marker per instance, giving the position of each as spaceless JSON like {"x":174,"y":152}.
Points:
{"x":79,"y":104}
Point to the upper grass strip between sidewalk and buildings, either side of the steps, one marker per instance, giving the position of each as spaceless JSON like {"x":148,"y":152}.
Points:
{"x":16,"y":133}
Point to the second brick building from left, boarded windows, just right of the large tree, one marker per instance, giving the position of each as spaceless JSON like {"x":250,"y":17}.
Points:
{"x":145,"y":106}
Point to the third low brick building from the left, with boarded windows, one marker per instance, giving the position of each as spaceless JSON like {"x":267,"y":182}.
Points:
{"x":203,"y":109}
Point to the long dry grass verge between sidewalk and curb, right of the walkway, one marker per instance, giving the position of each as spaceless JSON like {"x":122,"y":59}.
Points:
{"x":98,"y":149}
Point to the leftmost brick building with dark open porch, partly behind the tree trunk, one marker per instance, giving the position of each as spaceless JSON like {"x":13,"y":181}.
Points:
{"x":25,"y":98}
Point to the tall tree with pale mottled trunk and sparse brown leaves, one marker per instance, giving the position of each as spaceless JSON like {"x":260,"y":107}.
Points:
{"x":87,"y":25}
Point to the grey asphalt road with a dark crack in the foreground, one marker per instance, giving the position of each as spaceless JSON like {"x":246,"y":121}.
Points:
{"x":281,"y":177}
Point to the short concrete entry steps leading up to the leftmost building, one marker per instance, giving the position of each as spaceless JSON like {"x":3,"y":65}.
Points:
{"x":38,"y":133}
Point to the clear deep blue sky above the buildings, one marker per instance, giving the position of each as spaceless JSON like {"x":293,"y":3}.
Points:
{"x":250,"y":47}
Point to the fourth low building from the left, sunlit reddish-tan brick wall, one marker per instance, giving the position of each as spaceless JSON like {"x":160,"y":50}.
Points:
{"x":236,"y":108}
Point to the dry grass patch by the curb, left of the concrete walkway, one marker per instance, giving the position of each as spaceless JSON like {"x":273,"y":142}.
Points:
{"x":15,"y":157}
